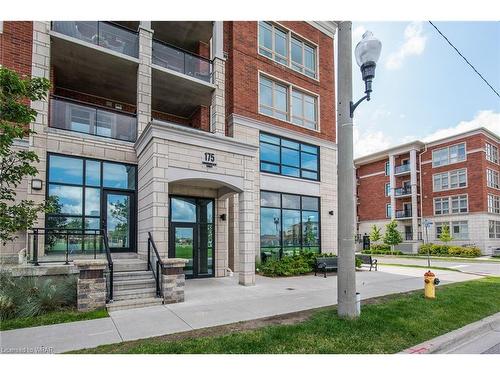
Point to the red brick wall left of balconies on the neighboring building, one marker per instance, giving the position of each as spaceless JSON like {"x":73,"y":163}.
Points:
{"x":371,"y":191}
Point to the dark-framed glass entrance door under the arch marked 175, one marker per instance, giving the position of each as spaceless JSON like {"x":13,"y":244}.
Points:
{"x":192,"y":234}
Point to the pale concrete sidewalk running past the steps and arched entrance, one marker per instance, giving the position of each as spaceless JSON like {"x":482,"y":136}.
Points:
{"x":216,"y":301}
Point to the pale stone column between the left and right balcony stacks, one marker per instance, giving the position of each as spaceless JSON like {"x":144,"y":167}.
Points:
{"x":144,"y":85}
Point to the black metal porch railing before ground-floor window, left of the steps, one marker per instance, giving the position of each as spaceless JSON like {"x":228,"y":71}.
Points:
{"x":63,"y":245}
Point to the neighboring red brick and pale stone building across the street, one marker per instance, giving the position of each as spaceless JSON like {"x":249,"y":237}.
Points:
{"x":453,"y":181}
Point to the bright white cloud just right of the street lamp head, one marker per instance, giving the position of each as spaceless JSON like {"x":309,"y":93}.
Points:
{"x":413,"y":45}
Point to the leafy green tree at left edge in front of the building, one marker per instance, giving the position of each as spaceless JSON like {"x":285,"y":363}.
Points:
{"x":15,"y":165}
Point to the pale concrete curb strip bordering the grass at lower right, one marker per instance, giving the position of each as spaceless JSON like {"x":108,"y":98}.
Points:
{"x":457,"y":337}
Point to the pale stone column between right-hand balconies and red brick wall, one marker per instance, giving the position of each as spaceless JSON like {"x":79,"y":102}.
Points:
{"x":218,"y":110}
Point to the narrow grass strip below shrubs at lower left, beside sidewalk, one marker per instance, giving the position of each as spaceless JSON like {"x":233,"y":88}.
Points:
{"x":55,"y":317}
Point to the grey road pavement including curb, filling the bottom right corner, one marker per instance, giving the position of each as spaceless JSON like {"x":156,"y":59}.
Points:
{"x":481,"y":337}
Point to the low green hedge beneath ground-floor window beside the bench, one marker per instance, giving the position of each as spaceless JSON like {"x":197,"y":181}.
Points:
{"x":293,"y":265}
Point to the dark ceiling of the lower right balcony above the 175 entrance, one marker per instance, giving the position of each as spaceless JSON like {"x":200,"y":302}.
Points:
{"x":179,"y":95}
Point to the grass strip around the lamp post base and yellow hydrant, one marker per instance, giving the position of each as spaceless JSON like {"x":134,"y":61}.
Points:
{"x":393,"y":324}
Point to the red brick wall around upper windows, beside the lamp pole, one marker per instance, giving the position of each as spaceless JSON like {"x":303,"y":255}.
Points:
{"x":244,"y":63}
